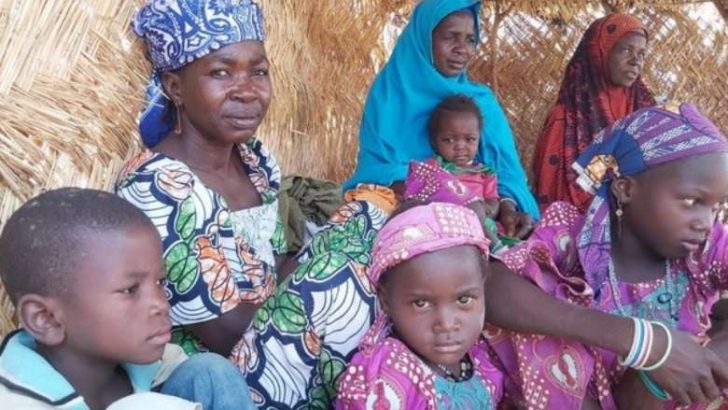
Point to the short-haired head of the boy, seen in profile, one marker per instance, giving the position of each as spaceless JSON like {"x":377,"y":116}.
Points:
{"x":84,"y":270}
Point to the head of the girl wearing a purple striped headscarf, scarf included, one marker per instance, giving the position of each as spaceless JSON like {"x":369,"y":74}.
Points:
{"x":662,"y":176}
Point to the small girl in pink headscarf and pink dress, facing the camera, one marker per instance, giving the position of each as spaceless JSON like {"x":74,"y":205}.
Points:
{"x":425,"y":349}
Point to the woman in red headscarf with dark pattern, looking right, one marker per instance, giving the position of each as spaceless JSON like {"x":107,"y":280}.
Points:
{"x":602,"y":84}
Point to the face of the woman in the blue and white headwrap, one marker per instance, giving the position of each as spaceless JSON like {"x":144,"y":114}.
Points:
{"x":225,"y":95}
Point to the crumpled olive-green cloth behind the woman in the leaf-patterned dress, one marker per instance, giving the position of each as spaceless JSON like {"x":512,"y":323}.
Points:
{"x":304,"y":199}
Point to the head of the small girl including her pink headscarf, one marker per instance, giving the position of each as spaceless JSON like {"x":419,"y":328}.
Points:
{"x":428,"y":263}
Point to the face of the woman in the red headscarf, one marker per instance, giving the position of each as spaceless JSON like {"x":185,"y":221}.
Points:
{"x":626,"y":59}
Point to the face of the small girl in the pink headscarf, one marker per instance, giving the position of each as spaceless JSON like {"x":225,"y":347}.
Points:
{"x":436,"y":303}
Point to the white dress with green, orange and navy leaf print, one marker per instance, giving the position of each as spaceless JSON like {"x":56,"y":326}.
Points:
{"x":308,"y":327}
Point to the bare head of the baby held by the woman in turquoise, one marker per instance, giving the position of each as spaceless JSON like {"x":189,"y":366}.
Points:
{"x":455,"y":127}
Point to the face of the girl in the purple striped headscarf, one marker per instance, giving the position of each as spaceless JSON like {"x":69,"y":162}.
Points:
{"x":671,"y":208}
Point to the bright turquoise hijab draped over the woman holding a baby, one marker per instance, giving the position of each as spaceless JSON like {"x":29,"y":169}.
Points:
{"x":393,"y":130}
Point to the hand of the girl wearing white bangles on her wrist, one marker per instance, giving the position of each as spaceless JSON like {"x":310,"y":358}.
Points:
{"x":692,"y":373}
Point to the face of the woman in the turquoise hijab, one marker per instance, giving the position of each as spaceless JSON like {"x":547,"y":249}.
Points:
{"x":453,"y":43}
